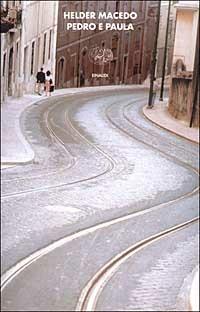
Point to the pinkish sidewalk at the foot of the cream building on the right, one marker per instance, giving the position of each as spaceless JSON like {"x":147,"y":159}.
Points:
{"x":160,"y":116}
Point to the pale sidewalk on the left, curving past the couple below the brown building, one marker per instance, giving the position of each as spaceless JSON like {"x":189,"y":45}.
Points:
{"x":14,"y":147}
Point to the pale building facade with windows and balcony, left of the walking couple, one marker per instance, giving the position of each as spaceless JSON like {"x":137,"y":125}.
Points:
{"x":28,"y":45}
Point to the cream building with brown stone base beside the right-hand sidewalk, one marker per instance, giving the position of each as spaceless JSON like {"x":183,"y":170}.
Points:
{"x":183,"y":88}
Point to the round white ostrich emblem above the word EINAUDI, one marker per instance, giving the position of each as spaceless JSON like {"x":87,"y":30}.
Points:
{"x":100,"y":56}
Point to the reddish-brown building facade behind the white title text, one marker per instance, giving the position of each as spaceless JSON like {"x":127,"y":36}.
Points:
{"x":131,"y":49}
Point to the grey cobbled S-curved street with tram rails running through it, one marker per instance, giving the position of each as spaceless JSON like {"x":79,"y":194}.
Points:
{"x":103,"y":179}
